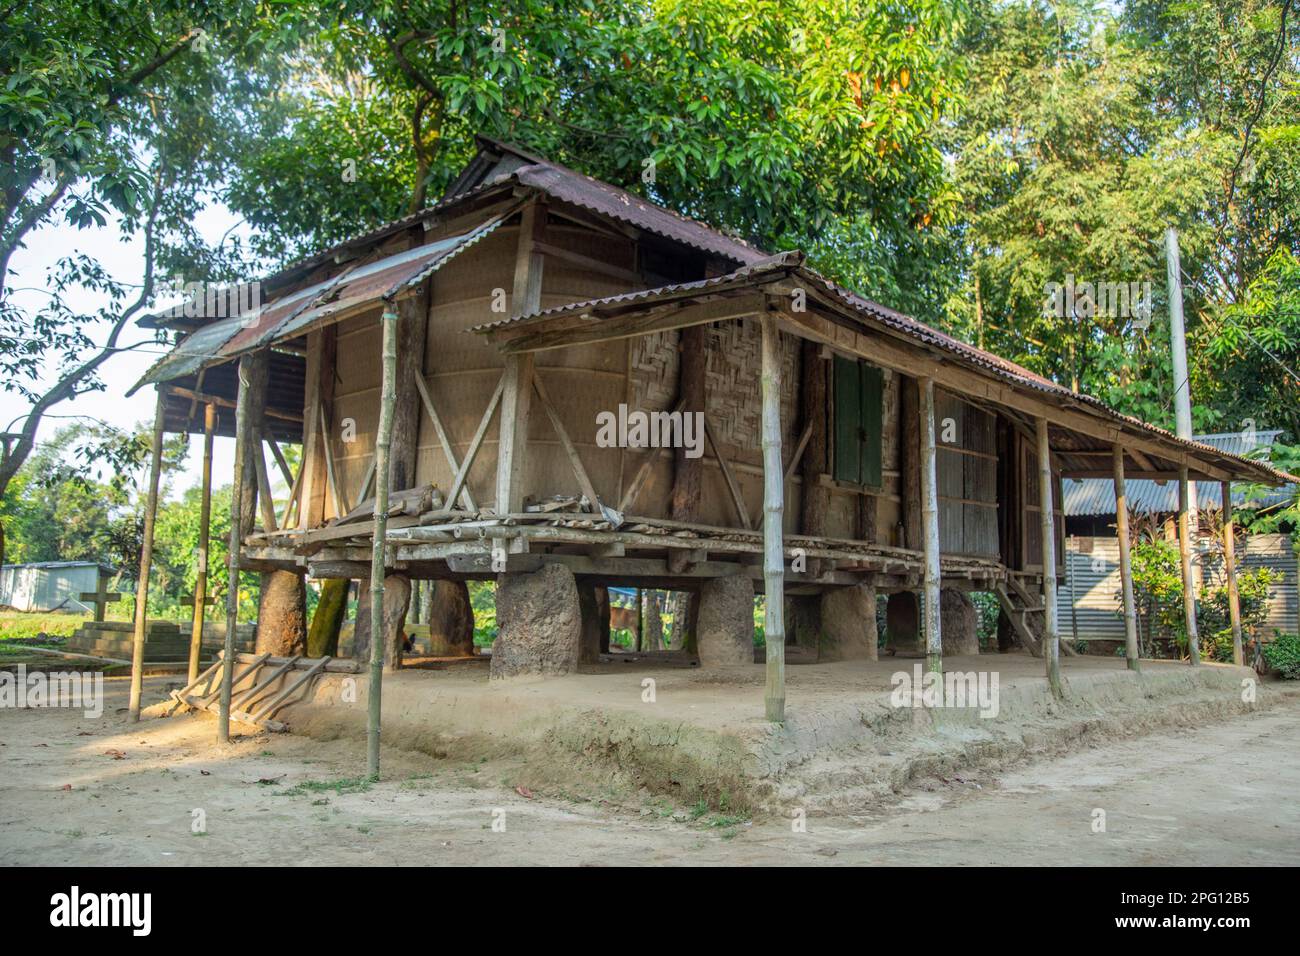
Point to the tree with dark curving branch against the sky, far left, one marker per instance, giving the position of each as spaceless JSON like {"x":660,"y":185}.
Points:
{"x":107,"y":113}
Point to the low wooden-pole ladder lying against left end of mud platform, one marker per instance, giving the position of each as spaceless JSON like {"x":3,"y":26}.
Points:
{"x":250,"y":704}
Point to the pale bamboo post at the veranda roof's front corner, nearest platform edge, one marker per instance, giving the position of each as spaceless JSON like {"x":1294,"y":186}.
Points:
{"x":774,"y":509}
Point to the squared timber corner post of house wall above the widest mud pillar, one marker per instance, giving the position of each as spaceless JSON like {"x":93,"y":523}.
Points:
{"x":517,"y":399}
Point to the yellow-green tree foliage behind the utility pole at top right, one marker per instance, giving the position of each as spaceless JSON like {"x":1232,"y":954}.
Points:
{"x":1086,"y":131}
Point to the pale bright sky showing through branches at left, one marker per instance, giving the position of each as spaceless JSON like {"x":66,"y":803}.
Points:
{"x":124,"y":261}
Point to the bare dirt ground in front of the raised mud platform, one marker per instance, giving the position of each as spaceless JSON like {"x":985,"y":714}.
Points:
{"x":1219,"y":794}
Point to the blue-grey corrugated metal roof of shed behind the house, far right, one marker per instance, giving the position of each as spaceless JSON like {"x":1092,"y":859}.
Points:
{"x":1084,"y":498}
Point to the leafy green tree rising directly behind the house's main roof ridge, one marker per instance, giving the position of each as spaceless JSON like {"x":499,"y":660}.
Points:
{"x":788,"y":122}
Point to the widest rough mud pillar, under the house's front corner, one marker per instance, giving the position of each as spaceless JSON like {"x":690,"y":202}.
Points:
{"x":540,"y":624}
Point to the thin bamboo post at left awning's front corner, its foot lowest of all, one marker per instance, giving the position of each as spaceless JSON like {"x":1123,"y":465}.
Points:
{"x":384,"y":477}
